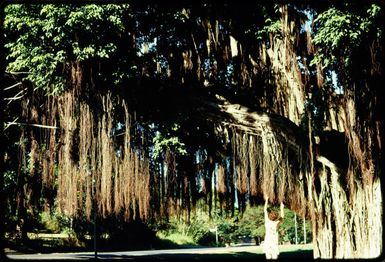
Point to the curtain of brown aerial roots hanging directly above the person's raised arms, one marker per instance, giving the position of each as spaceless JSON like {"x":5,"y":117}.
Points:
{"x":272,"y":169}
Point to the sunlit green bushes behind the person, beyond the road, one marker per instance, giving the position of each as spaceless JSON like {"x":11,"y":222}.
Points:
{"x":231,"y":230}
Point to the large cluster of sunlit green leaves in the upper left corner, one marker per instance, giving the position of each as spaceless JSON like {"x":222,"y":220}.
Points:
{"x":41,"y":40}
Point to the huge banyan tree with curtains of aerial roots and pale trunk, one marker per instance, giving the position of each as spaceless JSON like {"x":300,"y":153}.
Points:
{"x":138,"y":109}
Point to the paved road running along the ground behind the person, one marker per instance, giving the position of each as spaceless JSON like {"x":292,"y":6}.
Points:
{"x":241,"y":252}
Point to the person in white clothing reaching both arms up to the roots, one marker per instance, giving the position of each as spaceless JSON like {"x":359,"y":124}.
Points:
{"x":272,"y":221}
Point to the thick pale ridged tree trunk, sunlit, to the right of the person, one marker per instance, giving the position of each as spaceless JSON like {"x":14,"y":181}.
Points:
{"x":342,"y":229}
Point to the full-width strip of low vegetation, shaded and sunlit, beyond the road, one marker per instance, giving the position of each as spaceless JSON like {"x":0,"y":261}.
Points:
{"x":55,"y":232}
